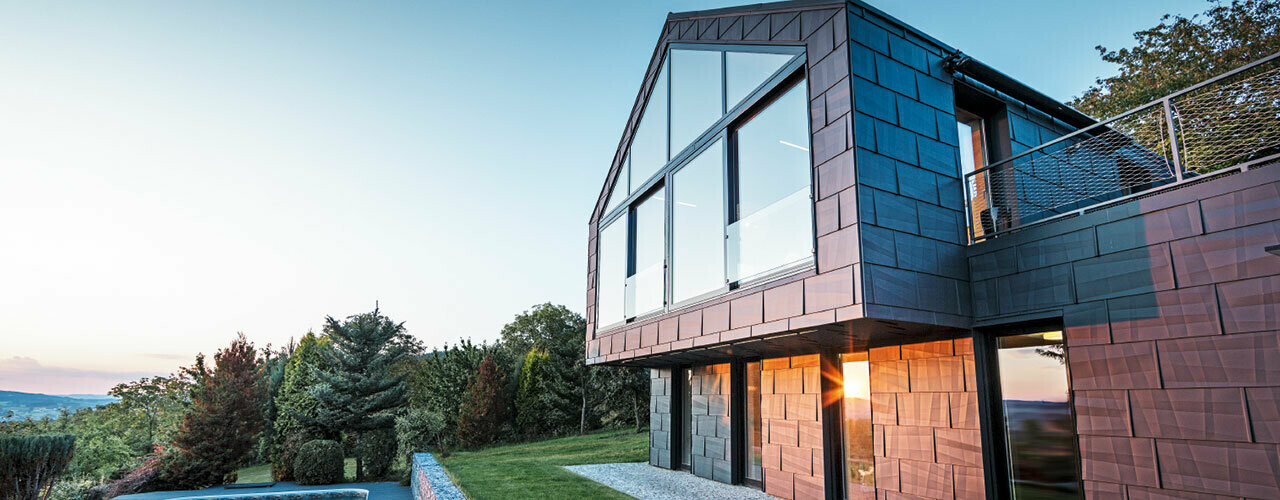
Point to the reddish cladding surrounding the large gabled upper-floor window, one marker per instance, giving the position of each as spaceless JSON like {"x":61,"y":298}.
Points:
{"x":822,"y":296}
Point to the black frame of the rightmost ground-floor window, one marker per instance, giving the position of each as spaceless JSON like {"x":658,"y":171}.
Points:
{"x":991,"y":411}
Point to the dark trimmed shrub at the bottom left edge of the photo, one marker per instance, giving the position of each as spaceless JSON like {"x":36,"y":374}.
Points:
{"x":30,"y":466}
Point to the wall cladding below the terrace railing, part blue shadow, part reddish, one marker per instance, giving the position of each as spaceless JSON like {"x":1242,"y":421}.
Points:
{"x":1172,"y":313}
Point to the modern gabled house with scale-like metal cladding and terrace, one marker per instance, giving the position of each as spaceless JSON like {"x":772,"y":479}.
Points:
{"x":862,"y":265}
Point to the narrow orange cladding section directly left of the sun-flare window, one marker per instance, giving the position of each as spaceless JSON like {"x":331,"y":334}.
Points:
{"x":792,"y":432}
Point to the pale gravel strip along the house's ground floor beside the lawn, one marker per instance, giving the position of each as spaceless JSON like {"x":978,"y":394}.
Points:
{"x":648,"y":483}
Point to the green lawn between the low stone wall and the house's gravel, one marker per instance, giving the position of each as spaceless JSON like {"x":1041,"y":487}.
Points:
{"x":533,"y":470}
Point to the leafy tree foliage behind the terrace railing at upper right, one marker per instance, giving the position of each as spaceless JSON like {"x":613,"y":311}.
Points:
{"x":1182,"y":52}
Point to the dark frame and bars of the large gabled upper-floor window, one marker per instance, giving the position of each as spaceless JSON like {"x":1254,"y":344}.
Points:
{"x":784,"y":80}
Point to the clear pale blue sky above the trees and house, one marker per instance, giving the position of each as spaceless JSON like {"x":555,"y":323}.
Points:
{"x":173,"y":173}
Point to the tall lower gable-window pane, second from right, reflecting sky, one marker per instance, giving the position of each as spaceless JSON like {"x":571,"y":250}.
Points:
{"x":698,"y":226}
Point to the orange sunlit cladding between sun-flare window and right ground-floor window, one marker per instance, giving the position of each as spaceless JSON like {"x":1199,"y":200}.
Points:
{"x":925,"y":419}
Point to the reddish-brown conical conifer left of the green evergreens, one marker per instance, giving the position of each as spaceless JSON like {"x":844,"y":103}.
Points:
{"x":226,"y":418}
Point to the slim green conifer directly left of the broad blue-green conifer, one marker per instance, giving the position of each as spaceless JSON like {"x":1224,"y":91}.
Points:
{"x":295,"y":405}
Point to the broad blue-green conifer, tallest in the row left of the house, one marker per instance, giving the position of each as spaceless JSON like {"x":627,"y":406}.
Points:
{"x":359,"y":387}
